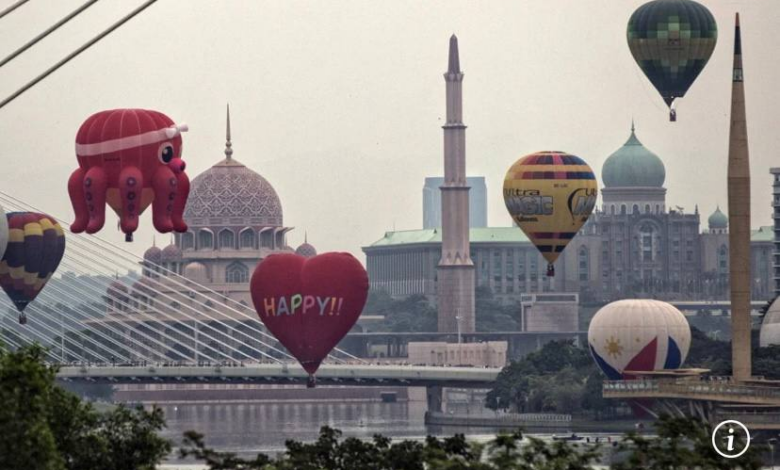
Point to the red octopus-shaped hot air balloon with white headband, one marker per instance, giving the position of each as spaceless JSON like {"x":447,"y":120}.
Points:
{"x":129,"y":159}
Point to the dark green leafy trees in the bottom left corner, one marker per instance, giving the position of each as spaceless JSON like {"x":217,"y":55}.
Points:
{"x":43,"y":426}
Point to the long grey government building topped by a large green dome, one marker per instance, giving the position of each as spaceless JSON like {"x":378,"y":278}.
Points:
{"x":633,"y":246}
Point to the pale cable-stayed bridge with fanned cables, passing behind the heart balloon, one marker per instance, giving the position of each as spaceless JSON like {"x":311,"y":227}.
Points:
{"x":131,"y":330}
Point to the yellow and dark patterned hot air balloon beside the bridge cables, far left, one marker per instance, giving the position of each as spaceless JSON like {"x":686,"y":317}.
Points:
{"x":35,"y":248}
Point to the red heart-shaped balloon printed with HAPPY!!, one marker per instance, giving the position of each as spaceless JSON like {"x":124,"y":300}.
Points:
{"x":309,"y":304}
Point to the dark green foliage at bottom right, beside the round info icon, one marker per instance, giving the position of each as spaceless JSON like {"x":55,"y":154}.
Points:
{"x":682,"y":443}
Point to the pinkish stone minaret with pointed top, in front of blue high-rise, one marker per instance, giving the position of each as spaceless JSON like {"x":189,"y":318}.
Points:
{"x":455,"y":286}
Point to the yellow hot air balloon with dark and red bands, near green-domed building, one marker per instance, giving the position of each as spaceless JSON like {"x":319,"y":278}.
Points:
{"x":550,"y":195}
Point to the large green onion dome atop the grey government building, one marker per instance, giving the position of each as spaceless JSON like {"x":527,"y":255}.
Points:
{"x":632,"y":165}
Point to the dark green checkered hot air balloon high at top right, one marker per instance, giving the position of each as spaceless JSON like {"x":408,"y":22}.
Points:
{"x":672,"y":40}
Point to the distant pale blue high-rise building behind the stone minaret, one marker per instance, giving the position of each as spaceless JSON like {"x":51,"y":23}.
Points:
{"x":477,"y":202}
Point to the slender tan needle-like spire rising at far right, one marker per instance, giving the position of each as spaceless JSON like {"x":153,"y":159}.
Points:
{"x":739,"y":220}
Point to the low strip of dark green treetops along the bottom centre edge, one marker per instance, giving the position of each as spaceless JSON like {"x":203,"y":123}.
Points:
{"x":328,"y":452}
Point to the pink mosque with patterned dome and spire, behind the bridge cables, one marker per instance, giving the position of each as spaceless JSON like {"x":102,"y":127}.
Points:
{"x":235,"y":220}
